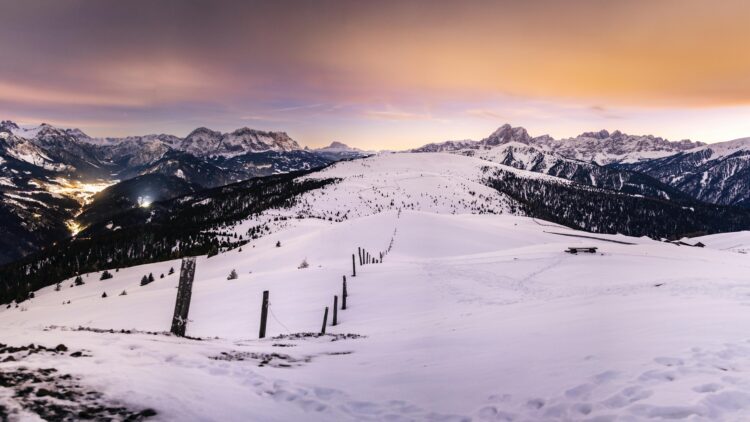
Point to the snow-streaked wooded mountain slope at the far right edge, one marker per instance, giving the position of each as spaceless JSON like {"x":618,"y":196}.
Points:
{"x":717,"y":173}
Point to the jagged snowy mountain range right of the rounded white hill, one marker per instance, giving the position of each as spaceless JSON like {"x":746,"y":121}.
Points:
{"x":717,"y":173}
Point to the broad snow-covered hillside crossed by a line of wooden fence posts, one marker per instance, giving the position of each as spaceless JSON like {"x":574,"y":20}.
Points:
{"x":470,"y":317}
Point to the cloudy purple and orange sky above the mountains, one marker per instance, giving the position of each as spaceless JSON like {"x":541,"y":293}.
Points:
{"x":379,"y":74}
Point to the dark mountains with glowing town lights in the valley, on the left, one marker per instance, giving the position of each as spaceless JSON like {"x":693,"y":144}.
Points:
{"x":46,"y":172}
